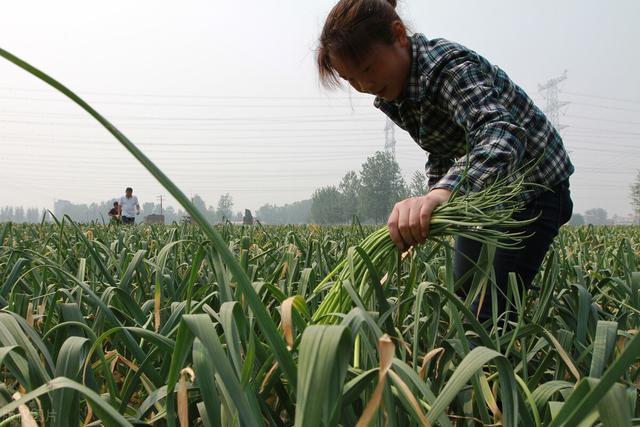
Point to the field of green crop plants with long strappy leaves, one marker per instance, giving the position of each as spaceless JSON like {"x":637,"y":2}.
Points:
{"x":156,"y":322}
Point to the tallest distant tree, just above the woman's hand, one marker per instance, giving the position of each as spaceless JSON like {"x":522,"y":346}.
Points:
{"x":382,"y":186}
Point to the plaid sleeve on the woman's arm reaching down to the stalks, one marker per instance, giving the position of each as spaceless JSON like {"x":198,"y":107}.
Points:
{"x":496,"y":144}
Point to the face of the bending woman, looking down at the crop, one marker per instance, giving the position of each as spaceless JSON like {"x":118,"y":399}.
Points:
{"x":382,"y":72}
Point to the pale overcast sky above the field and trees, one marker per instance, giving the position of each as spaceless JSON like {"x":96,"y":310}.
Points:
{"x":224,"y":96}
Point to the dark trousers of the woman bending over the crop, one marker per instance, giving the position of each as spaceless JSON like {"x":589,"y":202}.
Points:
{"x":555,"y":208}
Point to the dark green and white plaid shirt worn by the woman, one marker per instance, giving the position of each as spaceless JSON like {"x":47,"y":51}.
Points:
{"x":468,"y":115}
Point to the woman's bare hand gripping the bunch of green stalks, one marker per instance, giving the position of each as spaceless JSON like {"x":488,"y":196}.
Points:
{"x":410,"y":218}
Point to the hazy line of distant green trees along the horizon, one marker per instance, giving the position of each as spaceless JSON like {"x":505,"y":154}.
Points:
{"x":368,"y":194}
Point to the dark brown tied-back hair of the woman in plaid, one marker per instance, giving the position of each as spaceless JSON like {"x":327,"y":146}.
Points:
{"x":351,"y":28}
